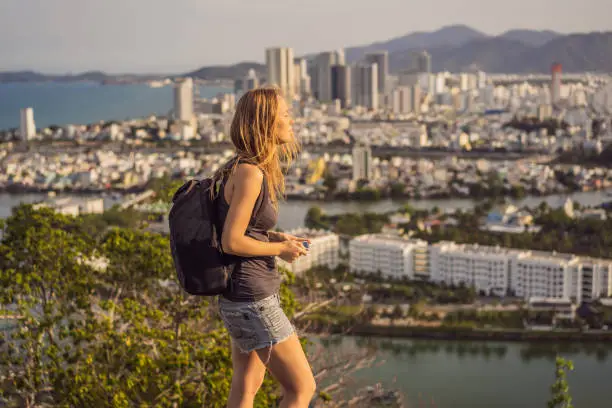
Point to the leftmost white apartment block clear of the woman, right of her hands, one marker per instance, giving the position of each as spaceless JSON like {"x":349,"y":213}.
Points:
{"x":394,"y":257}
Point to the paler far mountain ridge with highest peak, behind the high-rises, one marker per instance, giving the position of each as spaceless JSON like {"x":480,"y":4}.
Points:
{"x":455,"y":35}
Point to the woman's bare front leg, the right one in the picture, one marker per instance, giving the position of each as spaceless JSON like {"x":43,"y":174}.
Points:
{"x":288,"y":364}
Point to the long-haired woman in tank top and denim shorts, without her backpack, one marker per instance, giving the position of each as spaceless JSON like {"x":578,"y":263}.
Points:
{"x":251,"y":184}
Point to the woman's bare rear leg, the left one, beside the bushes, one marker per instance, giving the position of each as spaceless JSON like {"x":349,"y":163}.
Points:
{"x":249,"y":373}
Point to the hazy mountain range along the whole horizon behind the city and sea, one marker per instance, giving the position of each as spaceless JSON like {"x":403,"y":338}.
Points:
{"x":457,"y":48}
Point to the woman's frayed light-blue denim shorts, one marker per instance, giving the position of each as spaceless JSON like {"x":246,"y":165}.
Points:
{"x":255,"y":325}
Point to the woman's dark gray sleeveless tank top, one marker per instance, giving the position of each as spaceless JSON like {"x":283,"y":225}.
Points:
{"x":253,"y":278}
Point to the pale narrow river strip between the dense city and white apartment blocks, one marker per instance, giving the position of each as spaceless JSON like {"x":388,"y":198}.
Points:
{"x":292,"y":213}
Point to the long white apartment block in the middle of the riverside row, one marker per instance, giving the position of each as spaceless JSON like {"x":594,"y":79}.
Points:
{"x":485,"y":268}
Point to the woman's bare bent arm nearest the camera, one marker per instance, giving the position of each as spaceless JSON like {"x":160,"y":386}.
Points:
{"x":247,"y":181}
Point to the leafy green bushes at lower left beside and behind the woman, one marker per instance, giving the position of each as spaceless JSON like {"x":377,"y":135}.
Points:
{"x":101,"y":323}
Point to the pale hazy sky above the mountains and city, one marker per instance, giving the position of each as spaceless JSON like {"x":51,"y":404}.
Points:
{"x":58,"y":36}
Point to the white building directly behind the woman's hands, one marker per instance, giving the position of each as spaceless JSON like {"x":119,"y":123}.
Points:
{"x":323,"y":251}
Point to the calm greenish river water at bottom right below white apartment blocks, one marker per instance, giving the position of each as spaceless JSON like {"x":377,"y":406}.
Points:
{"x":458,"y":374}
